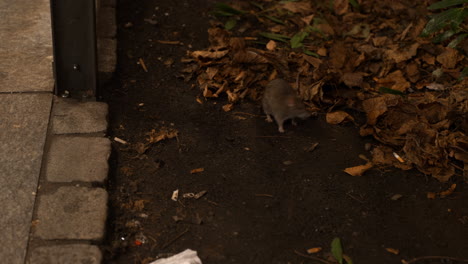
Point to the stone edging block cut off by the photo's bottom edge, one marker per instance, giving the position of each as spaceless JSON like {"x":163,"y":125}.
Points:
{"x":66,"y":254}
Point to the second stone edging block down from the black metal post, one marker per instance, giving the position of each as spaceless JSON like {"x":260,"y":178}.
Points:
{"x":78,"y":159}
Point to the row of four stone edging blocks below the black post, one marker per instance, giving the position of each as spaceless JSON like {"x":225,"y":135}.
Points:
{"x":69,"y":207}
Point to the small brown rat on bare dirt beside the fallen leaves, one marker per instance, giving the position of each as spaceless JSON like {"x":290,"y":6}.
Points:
{"x":282,"y":102}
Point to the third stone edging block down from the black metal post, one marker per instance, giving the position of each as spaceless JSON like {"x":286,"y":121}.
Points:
{"x":72,"y":213}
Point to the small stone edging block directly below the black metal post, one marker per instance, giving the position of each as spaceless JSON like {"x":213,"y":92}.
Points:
{"x":72,"y":117}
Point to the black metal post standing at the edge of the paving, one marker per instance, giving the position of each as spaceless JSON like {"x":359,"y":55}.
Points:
{"x":74,"y":44}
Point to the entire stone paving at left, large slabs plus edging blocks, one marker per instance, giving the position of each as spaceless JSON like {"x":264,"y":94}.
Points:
{"x":53,"y":158}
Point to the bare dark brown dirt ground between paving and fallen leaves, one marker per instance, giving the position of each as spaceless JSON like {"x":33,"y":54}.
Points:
{"x":268,"y":196}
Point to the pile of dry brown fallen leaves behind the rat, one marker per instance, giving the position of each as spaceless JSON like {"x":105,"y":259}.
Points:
{"x":362,"y":55}
